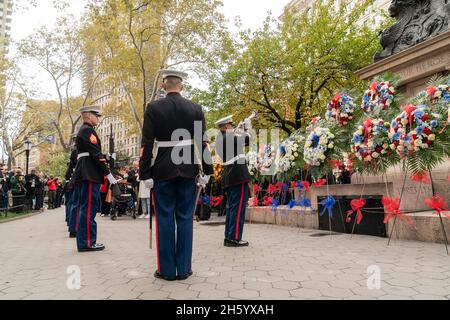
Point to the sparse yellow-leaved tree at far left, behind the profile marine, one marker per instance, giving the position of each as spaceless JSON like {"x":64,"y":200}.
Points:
{"x":59,"y":53}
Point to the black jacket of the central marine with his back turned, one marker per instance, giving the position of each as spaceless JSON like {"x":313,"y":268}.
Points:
{"x":162,"y":118}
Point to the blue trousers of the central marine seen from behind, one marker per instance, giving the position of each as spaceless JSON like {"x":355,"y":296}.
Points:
{"x":174,"y":202}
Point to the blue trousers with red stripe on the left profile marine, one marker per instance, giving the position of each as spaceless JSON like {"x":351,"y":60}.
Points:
{"x":89,"y":202}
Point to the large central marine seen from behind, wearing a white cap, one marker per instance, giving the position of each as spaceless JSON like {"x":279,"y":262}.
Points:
{"x":174,"y":182}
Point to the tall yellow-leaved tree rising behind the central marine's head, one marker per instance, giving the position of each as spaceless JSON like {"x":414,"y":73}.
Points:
{"x":133,"y":39}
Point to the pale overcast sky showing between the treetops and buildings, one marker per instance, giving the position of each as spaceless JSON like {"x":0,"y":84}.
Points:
{"x":252,"y":13}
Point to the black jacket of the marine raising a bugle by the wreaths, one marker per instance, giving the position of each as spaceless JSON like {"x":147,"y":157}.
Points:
{"x":236,"y":173}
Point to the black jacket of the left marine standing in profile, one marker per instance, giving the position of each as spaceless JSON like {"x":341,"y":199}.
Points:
{"x":92,"y":168}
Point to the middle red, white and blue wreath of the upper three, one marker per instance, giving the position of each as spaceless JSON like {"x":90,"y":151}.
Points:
{"x":379,"y":96}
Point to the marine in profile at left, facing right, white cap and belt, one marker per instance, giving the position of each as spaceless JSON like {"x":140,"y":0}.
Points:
{"x":90,"y":170}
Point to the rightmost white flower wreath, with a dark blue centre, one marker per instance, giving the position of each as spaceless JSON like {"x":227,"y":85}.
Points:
{"x":318,"y":143}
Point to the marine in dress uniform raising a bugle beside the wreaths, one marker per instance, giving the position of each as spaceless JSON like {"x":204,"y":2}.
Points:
{"x":235,"y":180}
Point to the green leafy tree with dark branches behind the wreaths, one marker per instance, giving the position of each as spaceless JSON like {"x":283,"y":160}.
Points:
{"x":289,"y":70}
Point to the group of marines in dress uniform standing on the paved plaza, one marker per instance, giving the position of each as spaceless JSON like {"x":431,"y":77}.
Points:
{"x":175,"y":183}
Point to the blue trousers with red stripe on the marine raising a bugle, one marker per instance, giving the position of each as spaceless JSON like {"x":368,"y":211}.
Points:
{"x":237,"y":198}
